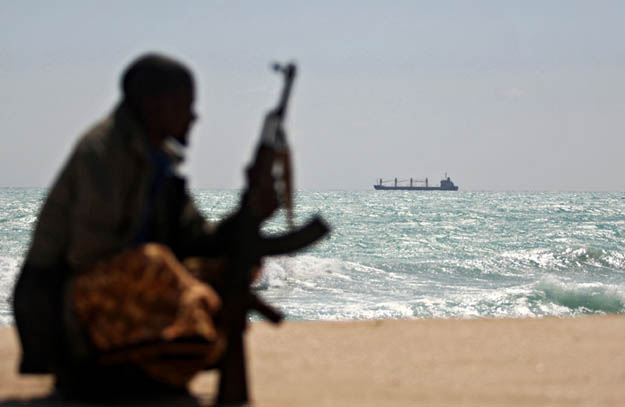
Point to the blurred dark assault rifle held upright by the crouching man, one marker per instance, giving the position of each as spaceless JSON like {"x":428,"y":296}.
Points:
{"x":270,"y":187}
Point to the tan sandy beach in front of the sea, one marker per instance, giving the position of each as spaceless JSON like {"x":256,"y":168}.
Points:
{"x":428,"y":362}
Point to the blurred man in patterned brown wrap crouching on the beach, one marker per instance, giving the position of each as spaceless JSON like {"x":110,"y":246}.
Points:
{"x":103,"y":274}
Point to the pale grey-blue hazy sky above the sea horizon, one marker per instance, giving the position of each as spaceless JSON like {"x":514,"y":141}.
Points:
{"x":502,"y":95}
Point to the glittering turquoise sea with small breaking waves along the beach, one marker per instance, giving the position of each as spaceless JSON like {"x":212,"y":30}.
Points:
{"x":405,"y":254}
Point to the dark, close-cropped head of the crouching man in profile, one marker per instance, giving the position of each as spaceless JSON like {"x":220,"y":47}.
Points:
{"x":160,"y":90}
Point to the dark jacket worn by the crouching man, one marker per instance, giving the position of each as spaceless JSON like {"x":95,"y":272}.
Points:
{"x":110,"y":195}
